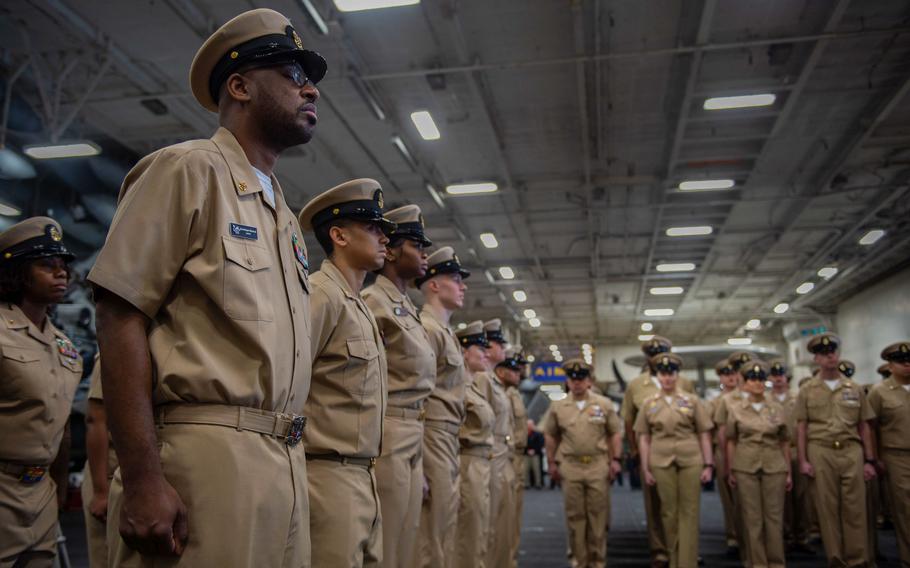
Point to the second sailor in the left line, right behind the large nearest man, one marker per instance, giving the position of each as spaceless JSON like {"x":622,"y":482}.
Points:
{"x":348,"y":396}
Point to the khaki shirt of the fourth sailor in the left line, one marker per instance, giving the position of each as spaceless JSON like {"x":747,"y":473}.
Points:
{"x":446,"y":402}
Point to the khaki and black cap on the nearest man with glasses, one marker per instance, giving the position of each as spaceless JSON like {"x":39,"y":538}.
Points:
{"x":260,"y":37}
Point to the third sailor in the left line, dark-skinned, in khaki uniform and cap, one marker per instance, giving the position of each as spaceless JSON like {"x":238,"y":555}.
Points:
{"x":412,"y":374}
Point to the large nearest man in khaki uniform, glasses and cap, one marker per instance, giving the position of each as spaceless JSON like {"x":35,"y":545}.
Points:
{"x":203,"y":320}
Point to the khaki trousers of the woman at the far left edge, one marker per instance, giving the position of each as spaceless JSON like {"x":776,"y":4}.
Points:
{"x":28,"y":522}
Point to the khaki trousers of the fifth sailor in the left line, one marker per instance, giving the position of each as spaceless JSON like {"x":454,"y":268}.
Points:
{"x":473,"y":527}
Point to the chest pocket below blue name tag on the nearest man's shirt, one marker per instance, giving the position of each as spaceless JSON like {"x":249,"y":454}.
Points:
{"x":247,"y":268}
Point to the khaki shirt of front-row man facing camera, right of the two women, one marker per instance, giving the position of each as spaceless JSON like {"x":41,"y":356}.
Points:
{"x":832,"y":416}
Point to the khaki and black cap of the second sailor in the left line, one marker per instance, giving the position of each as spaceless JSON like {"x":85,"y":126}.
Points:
{"x":358,"y":199}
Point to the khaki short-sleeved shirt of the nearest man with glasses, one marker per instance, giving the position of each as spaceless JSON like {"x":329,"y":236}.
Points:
{"x":221,"y":274}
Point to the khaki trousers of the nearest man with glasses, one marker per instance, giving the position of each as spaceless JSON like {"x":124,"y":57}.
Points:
{"x":245,"y":494}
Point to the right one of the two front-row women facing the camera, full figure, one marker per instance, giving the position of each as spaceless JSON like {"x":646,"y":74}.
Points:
{"x":758,"y":451}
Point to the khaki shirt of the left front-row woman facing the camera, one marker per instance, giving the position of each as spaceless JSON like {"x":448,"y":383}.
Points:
{"x":674,"y":428}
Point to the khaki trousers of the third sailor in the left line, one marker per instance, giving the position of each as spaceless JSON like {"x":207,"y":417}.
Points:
{"x":399,"y":473}
